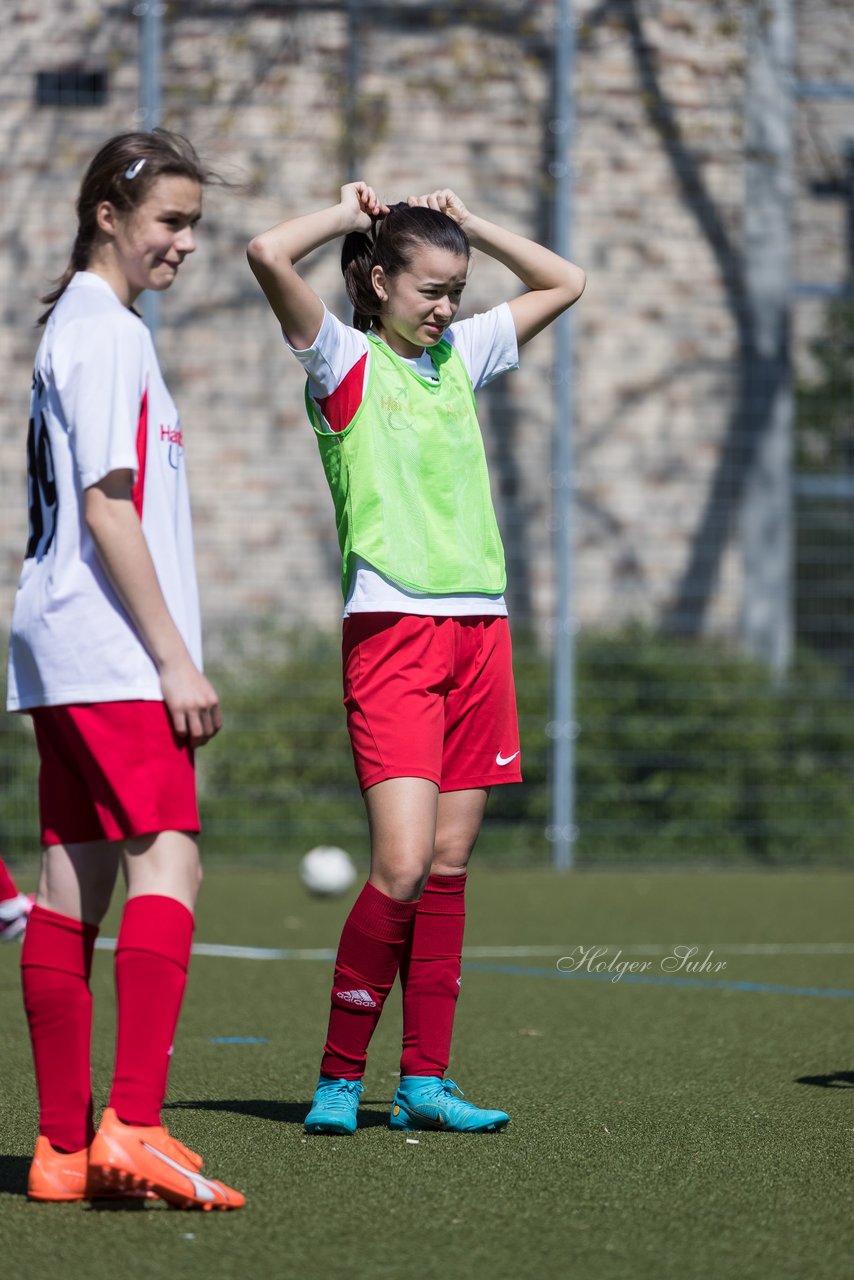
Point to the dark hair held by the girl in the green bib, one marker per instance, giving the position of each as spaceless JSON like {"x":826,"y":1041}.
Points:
{"x":390,"y":245}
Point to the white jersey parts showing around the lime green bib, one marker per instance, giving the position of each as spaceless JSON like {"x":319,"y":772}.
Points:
{"x":337,"y":368}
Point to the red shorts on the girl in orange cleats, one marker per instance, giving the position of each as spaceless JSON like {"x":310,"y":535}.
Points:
{"x":111,"y":771}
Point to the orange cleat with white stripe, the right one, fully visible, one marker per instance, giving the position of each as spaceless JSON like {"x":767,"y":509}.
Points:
{"x":148,"y":1159}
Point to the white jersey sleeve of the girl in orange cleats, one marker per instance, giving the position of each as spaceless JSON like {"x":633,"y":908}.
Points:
{"x":99,"y":372}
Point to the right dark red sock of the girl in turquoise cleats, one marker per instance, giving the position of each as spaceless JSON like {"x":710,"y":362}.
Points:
{"x":431,"y":976}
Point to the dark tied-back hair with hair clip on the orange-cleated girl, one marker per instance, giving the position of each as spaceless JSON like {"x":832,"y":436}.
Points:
{"x":124,"y":172}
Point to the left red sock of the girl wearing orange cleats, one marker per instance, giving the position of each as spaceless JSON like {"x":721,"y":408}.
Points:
{"x":56,"y":967}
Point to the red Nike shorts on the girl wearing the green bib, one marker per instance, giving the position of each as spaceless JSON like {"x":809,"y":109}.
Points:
{"x":431,"y":698}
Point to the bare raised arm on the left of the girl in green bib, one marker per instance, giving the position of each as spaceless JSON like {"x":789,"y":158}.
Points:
{"x":275,"y":254}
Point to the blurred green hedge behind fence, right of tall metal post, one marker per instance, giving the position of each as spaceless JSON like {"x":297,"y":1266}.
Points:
{"x":691,"y":753}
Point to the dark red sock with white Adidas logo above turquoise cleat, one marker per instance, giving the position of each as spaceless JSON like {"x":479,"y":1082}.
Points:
{"x":369,"y":957}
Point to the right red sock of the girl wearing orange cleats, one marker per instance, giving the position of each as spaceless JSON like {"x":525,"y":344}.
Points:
{"x":152,"y":961}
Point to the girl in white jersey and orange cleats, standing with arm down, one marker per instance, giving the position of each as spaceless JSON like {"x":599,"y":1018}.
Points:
{"x":106,"y":656}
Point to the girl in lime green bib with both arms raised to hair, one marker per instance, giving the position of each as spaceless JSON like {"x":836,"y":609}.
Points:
{"x":428,"y":680}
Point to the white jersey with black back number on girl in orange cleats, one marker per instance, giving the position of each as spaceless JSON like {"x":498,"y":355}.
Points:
{"x":99,"y":405}
